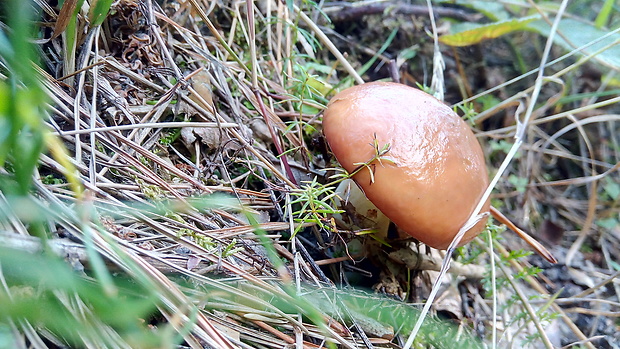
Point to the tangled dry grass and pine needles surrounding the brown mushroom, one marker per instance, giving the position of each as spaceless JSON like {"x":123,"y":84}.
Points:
{"x":193,"y":125}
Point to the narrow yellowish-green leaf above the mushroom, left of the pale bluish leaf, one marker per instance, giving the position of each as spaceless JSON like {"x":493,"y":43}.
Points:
{"x":488,"y":31}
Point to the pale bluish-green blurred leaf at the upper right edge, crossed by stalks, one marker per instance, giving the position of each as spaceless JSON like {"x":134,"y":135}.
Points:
{"x":581,"y":33}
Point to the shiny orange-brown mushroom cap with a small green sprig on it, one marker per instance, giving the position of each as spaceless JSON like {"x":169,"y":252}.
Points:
{"x":438,"y":172}
